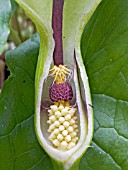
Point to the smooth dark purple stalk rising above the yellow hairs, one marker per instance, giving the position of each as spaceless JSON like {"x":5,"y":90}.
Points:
{"x":57,"y":17}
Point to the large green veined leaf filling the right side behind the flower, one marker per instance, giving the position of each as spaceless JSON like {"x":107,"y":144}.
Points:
{"x":104,"y":50}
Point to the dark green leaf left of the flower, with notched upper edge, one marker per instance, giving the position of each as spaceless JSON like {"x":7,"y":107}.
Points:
{"x":19,"y":148}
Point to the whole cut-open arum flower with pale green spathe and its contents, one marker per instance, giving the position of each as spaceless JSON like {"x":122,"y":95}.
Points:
{"x":63,"y":107}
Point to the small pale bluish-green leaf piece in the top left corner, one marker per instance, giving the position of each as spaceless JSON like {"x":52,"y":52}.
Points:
{"x":5,"y":13}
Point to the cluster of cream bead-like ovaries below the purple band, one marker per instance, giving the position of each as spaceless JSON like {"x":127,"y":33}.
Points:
{"x":62,"y":125}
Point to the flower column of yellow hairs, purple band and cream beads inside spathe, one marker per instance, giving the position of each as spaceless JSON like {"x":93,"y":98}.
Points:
{"x":63,"y":127}
